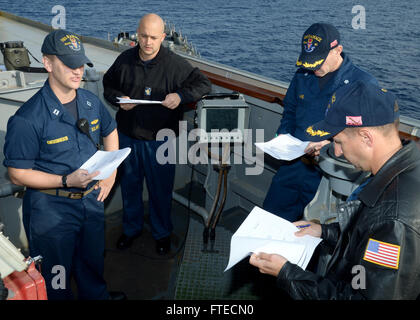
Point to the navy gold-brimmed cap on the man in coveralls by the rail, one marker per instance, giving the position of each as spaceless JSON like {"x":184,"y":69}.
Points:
{"x":317,"y":41}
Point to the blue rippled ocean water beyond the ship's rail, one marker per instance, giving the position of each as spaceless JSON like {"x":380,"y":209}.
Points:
{"x":263,"y":36}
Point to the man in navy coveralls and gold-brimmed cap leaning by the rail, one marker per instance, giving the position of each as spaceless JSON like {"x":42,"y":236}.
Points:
{"x":323,"y":68}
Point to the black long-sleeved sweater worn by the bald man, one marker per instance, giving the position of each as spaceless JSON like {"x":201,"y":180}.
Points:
{"x":166,"y":73}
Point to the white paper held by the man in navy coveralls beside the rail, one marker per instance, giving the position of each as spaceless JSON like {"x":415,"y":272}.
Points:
{"x":284,"y":147}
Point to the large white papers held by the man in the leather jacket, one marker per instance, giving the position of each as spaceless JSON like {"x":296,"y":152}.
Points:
{"x":265,"y":232}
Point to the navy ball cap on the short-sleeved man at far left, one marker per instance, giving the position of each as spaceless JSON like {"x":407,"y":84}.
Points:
{"x":67,"y":47}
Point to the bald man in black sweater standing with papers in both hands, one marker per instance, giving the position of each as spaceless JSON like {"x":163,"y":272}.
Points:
{"x":149,"y":71}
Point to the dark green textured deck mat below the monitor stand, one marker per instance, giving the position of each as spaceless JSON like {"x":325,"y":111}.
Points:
{"x":200,"y":273}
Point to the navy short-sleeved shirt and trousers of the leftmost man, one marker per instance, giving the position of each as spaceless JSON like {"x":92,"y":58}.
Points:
{"x":68,"y":233}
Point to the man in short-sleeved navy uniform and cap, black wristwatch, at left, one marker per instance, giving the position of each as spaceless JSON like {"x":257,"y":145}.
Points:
{"x":63,"y":209}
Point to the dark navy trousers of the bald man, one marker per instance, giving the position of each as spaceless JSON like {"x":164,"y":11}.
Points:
{"x":142,"y":164}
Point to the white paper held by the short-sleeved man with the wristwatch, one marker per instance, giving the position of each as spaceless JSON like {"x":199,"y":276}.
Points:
{"x":105,"y":162}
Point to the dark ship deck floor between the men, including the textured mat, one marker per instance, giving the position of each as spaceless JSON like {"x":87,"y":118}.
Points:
{"x":186,"y":273}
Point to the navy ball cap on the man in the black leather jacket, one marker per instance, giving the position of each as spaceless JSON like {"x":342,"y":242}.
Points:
{"x":359,"y":104}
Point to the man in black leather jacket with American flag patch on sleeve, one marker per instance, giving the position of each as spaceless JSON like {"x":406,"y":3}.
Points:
{"x":382,"y":235}
